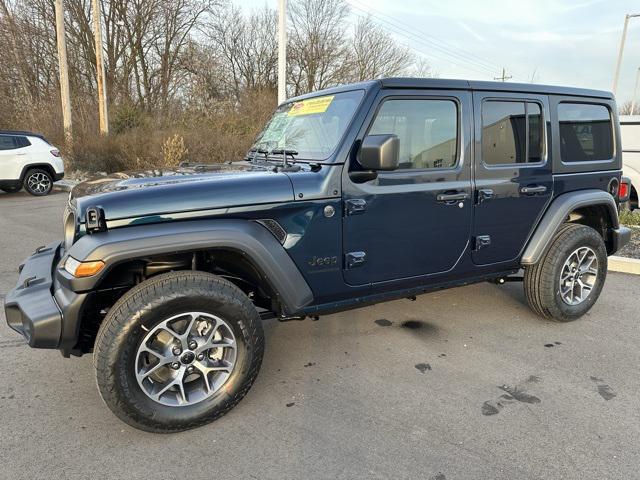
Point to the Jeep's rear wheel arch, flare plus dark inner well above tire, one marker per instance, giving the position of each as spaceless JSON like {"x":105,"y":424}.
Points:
{"x":593,"y":208}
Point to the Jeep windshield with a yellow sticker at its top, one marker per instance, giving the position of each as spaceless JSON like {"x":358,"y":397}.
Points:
{"x":311,"y":127}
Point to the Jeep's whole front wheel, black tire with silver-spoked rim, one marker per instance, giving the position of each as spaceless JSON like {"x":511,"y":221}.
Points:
{"x":178,"y":351}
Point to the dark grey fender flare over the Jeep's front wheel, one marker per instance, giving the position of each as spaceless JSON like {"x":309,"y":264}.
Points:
{"x":246,"y":237}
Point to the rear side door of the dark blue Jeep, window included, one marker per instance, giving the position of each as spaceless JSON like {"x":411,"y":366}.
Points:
{"x":513,"y":175}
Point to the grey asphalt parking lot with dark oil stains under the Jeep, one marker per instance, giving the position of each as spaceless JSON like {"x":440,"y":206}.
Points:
{"x":461,"y":384}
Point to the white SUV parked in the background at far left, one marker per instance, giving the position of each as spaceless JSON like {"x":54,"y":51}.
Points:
{"x":28,"y":160}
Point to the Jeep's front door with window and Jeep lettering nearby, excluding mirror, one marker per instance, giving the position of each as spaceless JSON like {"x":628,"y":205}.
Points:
{"x":416,"y":220}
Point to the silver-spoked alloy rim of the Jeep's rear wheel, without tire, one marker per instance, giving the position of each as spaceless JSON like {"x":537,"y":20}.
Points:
{"x":578,"y":276}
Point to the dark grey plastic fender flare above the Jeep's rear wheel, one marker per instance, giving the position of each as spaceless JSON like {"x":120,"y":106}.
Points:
{"x":557,"y":213}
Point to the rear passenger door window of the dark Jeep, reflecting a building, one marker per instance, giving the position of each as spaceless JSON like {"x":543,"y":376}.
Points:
{"x":512,"y":132}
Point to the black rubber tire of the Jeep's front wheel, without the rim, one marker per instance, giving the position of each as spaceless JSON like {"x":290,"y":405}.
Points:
{"x":144,"y":307}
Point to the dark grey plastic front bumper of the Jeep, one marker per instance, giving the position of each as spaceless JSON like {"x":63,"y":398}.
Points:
{"x":37,"y":307}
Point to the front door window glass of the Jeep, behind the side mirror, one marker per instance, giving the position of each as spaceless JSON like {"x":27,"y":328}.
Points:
{"x":427,"y":129}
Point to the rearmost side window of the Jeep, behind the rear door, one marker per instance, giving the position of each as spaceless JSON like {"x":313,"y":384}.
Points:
{"x":586,"y":132}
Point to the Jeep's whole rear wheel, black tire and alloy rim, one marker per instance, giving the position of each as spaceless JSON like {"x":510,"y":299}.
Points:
{"x":568,"y":279}
